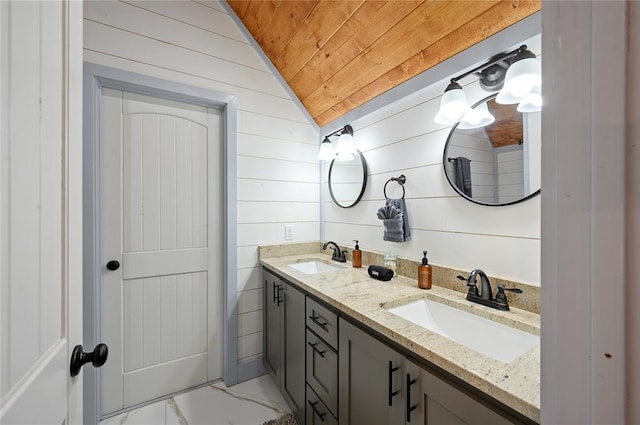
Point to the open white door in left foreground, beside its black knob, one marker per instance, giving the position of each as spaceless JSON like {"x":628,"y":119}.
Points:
{"x":40,"y":211}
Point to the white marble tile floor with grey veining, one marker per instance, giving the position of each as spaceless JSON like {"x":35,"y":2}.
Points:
{"x":249,"y":403}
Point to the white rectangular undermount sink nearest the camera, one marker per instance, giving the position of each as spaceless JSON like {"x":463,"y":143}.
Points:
{"x":495,"y":340}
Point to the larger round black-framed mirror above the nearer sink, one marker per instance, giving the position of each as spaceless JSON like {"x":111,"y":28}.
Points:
{"x":498,"y":164}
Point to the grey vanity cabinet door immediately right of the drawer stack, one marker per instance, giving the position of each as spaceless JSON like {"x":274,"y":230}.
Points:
{"x":370,"y":379}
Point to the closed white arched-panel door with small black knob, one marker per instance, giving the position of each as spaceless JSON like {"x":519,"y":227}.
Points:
{"x":162,"y":222}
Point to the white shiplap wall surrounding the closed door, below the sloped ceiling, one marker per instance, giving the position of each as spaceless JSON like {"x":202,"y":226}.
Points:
{"x":197,"y":43}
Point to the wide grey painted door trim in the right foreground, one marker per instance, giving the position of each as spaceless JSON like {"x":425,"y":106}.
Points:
{"x":583,"y":346}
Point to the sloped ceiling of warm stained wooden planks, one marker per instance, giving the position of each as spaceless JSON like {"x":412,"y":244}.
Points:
{"x":337,"y":55}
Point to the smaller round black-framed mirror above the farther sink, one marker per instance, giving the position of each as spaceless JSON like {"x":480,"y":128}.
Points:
{"x":347,"y":180}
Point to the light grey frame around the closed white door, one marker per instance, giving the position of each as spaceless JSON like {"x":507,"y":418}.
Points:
{"x":95,"y":78}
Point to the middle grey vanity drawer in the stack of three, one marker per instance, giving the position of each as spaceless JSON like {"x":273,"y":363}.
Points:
{"x":322,"y":371}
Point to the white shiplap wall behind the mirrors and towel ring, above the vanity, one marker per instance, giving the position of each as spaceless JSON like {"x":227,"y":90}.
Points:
{"x":403,"y":139}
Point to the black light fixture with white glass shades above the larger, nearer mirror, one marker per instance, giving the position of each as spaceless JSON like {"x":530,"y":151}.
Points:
{"x":517,"y":74}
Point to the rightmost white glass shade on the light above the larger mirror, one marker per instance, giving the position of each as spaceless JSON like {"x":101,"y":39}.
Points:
{"x":521,"y":79}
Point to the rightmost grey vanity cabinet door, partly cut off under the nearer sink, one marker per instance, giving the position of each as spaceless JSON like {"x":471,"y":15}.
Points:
{"x":442,"y":403}
